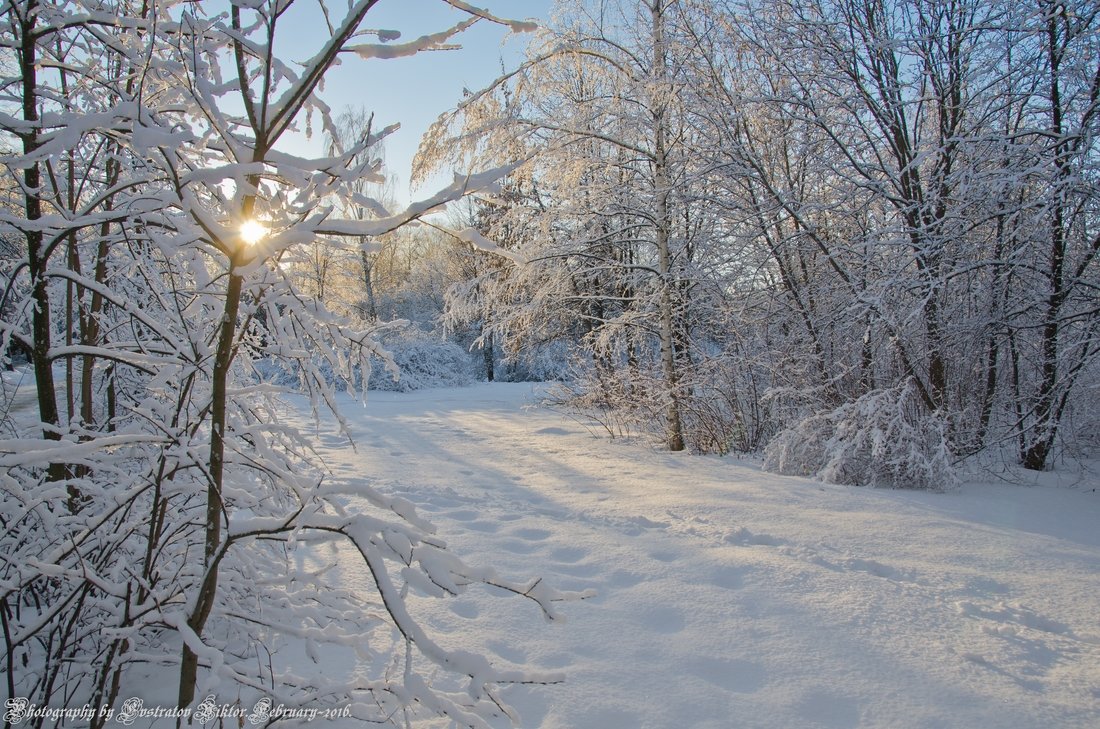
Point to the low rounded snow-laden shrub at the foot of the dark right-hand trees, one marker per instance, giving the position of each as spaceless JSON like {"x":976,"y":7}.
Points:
{"x":885,"y":439}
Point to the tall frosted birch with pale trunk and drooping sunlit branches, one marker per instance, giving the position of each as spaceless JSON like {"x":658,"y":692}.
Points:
{"x":621,"y":223}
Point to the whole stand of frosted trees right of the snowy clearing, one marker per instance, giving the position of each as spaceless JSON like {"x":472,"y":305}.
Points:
{"x":772,"y":209}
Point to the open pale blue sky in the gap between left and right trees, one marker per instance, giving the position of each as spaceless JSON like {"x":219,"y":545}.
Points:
{"x":415,"y":91}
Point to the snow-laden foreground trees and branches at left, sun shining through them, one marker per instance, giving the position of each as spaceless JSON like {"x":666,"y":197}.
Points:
{"x":160,"y":516}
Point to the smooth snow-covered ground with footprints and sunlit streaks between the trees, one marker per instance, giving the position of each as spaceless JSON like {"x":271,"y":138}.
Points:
{"x":733,"y":599}
